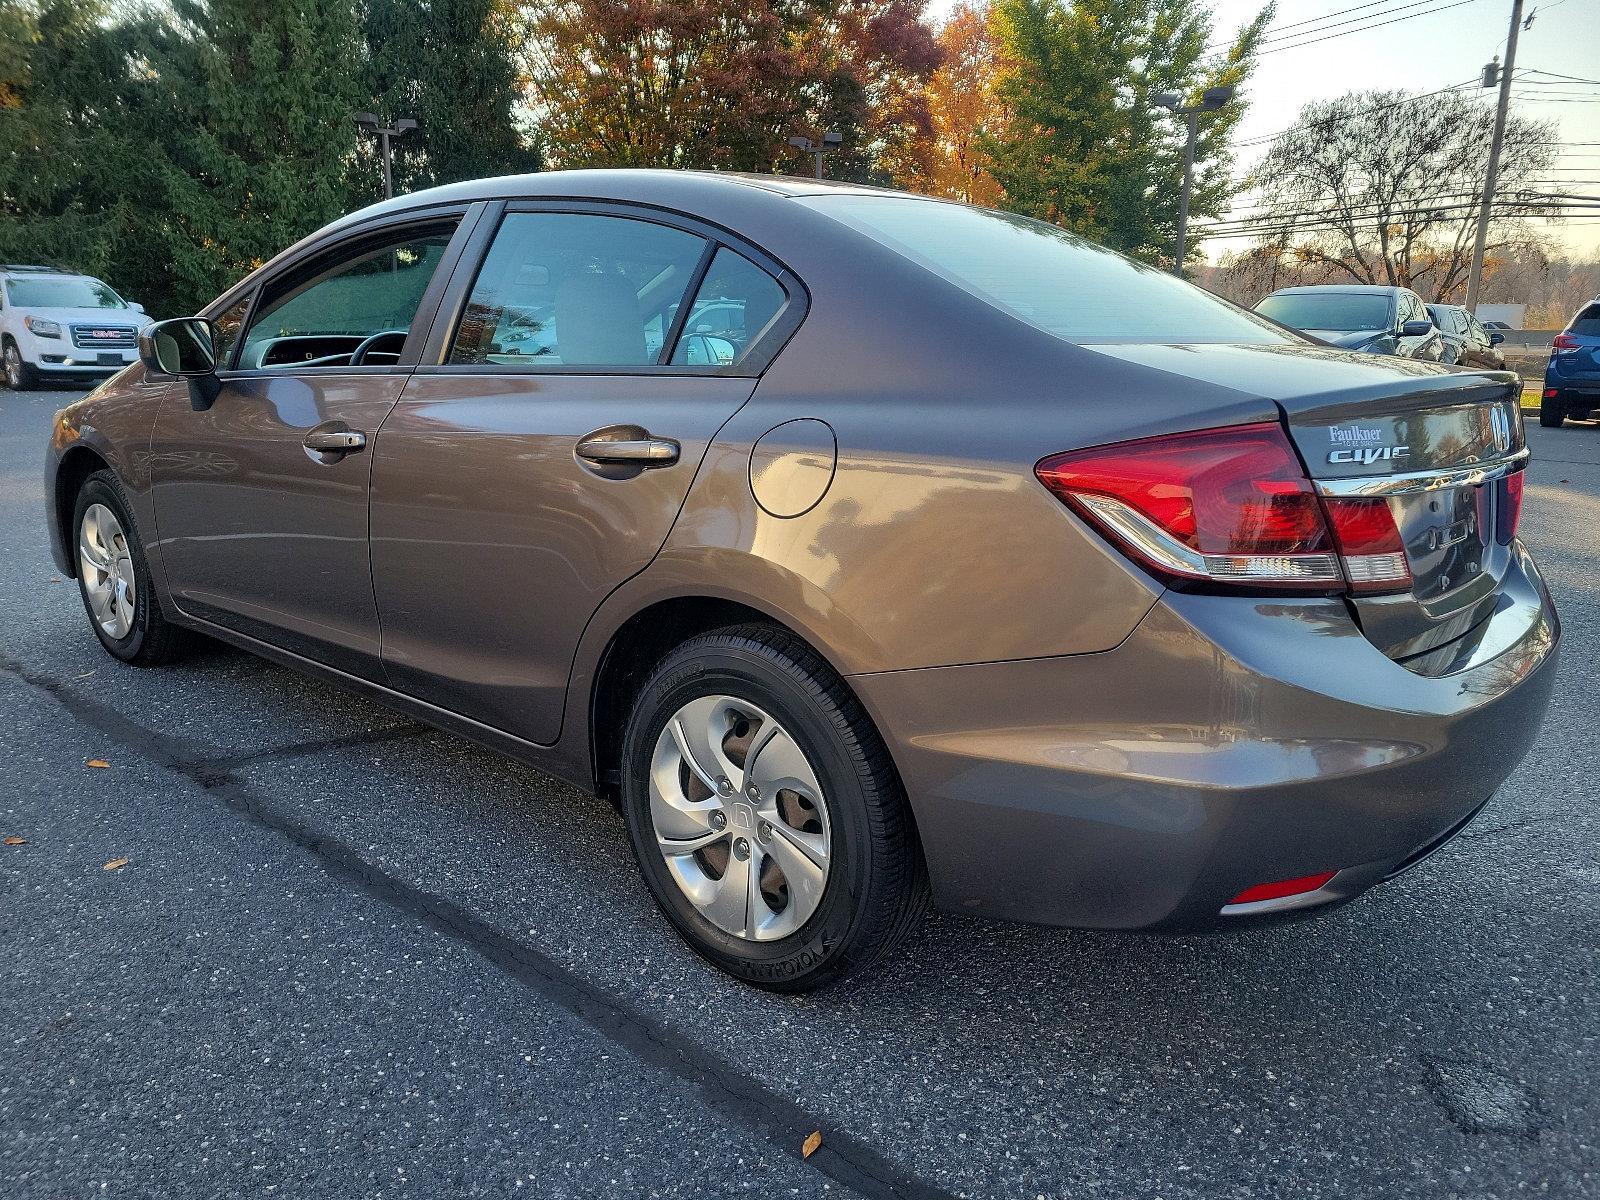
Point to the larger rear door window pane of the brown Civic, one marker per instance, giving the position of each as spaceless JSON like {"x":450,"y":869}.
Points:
{"x":577,"y":290}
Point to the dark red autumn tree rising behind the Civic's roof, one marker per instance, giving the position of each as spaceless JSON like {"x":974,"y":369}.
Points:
{"x":724,"y":84}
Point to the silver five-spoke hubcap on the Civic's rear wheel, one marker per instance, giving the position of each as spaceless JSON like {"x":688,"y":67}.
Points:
{"x":740,"y":818}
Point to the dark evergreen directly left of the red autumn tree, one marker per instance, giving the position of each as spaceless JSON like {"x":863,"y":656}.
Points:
{"x":452,"y":66}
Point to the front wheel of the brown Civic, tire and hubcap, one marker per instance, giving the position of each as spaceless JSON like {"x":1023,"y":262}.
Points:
{"x":114,"y":578}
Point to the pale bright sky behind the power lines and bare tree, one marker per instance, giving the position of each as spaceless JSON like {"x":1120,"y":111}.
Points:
{"x":1425,"y":46}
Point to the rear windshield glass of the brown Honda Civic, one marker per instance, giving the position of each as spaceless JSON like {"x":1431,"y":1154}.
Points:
{"x":1046,"y":276}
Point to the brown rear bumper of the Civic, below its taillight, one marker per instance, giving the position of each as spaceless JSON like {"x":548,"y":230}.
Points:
{"x":1226,"y":743}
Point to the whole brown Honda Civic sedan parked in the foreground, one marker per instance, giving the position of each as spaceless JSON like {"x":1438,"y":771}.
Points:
{"x":970,"y":561}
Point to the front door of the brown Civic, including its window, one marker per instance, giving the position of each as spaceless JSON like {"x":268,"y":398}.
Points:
{"x":262,"y":497}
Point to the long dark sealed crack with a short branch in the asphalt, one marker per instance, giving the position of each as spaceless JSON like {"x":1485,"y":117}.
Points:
{"x":742,"y":1100}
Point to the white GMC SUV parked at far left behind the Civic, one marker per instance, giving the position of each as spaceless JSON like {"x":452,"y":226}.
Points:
{"x":54,"y":322}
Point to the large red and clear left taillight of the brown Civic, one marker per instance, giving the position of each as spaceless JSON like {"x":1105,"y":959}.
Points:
{"x":1230,"y":506}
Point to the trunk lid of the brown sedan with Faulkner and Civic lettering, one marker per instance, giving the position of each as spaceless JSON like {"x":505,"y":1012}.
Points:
{"x":1436,"y":444}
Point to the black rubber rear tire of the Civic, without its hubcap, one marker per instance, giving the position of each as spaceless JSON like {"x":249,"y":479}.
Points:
{"x":876,"y":889}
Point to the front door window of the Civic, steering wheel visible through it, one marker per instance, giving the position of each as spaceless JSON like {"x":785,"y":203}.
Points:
{"x":350,"y":311}
